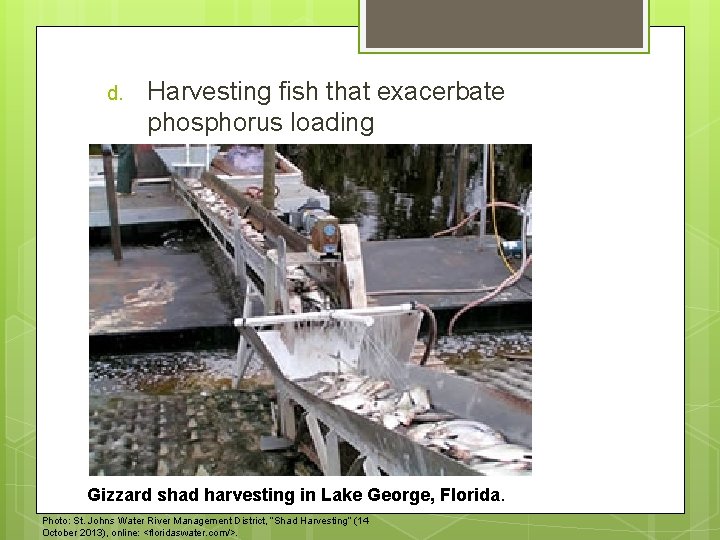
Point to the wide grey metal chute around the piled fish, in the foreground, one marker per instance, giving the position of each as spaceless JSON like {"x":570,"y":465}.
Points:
{"x":292,"y":355}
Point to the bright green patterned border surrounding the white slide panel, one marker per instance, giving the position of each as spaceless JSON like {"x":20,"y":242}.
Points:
{"x":702,"y":234}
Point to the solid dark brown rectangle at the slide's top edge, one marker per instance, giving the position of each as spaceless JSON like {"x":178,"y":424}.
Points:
{"x":504,"y":24}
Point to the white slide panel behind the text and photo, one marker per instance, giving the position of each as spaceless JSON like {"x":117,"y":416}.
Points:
{"x":607,"y":136}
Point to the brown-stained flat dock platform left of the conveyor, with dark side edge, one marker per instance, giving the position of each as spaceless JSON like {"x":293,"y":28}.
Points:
{"x":153,"y":299}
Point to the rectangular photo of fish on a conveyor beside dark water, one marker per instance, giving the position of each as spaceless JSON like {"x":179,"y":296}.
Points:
{"x":310,"y":310}
